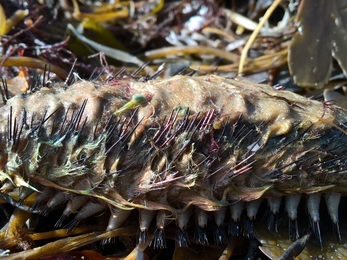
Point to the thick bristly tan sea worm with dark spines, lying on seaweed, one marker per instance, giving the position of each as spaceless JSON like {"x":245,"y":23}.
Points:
{"x":204,"y":150}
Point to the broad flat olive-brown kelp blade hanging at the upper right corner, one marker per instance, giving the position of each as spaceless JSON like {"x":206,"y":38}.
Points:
{"x":311,"y":50}
